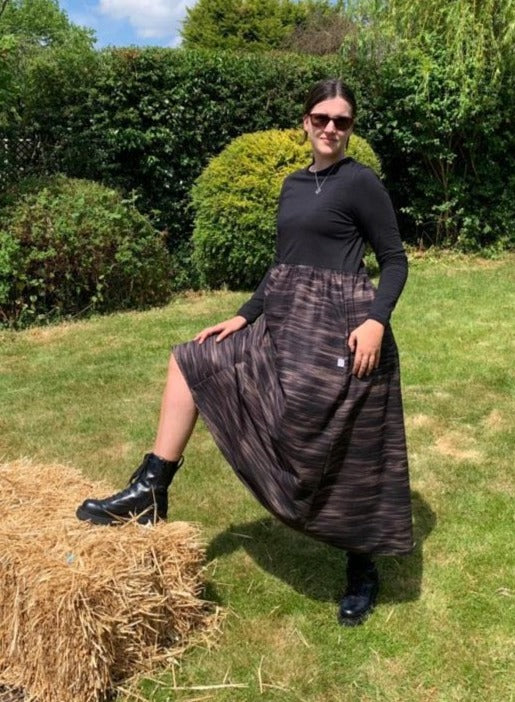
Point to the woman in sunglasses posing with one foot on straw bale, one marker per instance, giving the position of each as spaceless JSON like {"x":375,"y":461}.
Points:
{"x":301,"y":388}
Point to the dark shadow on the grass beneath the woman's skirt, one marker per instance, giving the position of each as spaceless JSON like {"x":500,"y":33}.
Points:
{"x":317,"y":570}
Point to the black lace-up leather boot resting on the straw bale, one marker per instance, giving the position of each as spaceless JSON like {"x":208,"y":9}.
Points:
{"x":146,"y":495}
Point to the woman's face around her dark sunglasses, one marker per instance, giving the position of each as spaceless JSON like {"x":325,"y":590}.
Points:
{"x":329,"y":141}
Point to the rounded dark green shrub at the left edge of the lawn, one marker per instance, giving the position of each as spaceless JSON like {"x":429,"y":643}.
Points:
{"x":70,"y":247}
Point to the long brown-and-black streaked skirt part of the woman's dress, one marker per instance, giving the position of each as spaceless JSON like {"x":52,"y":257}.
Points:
{"x":322,"y":450}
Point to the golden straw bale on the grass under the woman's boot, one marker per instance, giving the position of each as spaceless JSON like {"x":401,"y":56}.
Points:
{"x":84,"y":607}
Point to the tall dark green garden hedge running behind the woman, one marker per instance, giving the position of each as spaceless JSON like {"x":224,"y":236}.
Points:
{"x":150,"y":119}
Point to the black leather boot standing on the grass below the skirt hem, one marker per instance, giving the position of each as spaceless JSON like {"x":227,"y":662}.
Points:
{"x":361,"y":592}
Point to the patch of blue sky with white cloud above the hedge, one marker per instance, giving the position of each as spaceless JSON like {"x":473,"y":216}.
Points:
{"x":130,"y":22}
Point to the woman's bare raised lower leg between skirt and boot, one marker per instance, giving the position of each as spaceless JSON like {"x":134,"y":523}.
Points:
{"x":178,"y":415}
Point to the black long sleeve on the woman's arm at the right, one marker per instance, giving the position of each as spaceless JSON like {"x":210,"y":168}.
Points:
{"x":377,"y":221}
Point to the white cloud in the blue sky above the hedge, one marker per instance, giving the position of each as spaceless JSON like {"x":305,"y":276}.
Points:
{"x":151,"y":19}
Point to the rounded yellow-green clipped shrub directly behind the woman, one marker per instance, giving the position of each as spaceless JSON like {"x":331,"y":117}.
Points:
{"x":236,"y":198}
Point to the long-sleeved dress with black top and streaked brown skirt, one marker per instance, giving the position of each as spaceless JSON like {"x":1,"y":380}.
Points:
{"x":322,"y":450}
